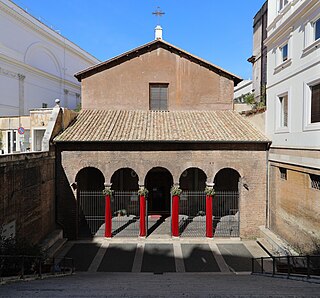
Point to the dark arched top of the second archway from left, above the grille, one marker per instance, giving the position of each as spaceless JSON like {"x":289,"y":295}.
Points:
{"x":125,"y":179}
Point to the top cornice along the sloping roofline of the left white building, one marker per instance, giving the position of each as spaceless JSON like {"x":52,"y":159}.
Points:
{"x":46,"y":31}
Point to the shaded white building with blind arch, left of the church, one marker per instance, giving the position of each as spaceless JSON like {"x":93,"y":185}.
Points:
{"x":36,"y":64}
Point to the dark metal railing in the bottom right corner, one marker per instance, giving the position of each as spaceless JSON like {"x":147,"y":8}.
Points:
{"x":287,"y":265}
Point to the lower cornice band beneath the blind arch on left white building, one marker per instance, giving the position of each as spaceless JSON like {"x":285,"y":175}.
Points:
{"x":35,"y":71}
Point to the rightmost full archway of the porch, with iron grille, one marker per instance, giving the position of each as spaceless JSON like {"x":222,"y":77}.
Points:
{"x":226,"y":203}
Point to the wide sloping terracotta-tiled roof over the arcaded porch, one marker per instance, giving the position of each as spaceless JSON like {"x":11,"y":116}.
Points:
{"x":163,"y":126}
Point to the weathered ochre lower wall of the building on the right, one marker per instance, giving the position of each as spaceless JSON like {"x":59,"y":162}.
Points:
{"x":295,"y":206}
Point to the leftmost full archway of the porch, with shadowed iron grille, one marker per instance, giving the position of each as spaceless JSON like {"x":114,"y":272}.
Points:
{"x":91,"y":204}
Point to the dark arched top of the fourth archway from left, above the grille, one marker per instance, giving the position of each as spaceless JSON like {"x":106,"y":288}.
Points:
{"x":193,"y":179}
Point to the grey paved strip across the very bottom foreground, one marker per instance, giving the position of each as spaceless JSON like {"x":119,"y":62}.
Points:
{"x":161,"y":285}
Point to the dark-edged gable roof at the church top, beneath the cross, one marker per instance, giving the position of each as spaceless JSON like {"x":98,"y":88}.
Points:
{"x":155,"y":44}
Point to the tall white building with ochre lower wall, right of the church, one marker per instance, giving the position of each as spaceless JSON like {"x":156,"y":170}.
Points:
{"x":293,"y":118}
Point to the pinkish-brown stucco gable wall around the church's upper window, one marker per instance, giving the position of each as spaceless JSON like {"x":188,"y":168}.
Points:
{"x":126,"y":86}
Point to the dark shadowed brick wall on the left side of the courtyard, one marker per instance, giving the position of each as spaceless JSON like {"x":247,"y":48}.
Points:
{"x":27,"y":195}
